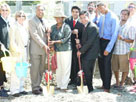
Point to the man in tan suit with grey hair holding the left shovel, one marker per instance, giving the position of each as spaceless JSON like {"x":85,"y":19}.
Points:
{"x":38,"y":48}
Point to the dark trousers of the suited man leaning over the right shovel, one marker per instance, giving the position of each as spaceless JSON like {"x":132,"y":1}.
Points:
{"x":88,"y":67}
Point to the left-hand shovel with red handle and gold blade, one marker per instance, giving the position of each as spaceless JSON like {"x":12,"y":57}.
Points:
{"x":49,"y":88}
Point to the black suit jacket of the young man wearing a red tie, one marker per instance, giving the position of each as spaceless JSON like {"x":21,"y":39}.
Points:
{"x":78,"y":26}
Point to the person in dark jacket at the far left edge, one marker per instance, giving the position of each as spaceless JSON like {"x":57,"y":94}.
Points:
{"x":4,"y":41}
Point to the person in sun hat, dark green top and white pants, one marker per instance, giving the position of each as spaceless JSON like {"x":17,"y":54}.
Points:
{"x":60,"y":38}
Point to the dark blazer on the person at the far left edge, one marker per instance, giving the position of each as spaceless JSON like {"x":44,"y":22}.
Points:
{"x":4,"y":37}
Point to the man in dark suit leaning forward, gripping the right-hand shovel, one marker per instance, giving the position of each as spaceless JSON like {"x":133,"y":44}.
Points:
{"x":89,"y":48}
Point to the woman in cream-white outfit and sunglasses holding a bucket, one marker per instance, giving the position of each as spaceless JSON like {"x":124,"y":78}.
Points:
{"x":18,"y":48}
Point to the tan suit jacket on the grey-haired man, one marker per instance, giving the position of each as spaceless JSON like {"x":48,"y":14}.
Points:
{"x":37,"y":36}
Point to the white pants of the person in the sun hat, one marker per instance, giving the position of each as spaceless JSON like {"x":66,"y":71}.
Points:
{"x":63,"y":68}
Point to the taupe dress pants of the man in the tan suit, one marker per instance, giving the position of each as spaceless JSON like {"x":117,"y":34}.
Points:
{"x":36,"y":70}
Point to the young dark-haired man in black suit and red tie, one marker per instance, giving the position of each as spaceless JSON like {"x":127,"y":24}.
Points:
{"x":76,"y":28}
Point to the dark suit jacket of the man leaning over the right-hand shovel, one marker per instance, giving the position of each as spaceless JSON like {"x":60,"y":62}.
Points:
{"x":90,"y":42}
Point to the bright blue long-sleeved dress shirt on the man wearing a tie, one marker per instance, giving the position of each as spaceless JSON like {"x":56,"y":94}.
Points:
{"x":111,"y":26}
